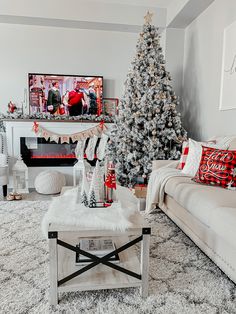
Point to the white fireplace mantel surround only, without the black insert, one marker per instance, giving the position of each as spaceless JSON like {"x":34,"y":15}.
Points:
{"x":15,"y":129}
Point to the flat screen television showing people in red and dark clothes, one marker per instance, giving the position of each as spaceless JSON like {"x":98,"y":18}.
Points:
{"x":59,"y":94}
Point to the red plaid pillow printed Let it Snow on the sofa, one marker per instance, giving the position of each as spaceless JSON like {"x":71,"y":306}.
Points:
{"x":217,"y":167}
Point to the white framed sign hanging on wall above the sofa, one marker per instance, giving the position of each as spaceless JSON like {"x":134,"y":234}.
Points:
{"x":228,"y":76}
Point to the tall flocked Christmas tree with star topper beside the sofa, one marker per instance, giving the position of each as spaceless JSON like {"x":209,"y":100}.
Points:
{"x":148,"y":126}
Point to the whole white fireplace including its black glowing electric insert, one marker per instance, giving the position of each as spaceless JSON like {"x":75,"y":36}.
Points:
{"x":19,"y":133}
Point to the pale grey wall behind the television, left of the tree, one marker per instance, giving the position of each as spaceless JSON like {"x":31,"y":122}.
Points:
{"x":41,"y":49}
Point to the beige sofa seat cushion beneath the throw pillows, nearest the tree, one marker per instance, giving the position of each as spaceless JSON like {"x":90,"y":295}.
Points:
{"x":200,"y":200}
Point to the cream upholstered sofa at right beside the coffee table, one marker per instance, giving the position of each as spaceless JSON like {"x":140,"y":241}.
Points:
{"x":206,"y":214}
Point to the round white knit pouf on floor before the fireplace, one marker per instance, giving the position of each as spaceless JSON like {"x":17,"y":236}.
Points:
{"x":49,"y":182}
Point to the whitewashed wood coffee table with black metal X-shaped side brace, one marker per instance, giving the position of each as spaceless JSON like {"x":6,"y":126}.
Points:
{"x":132,"y":271}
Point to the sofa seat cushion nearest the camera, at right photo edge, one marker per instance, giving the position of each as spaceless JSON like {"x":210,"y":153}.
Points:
{"x":223,"y":223}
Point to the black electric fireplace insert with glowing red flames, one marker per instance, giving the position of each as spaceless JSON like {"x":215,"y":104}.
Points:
{"x":38,"y":152}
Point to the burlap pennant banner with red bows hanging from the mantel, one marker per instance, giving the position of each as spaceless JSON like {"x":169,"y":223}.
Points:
{"x":65,"y":138}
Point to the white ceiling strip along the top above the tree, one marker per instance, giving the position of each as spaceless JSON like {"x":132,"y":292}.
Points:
{"x":107,"y":15}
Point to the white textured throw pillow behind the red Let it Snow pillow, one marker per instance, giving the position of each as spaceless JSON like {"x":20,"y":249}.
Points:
{"x":195,"y":154}
